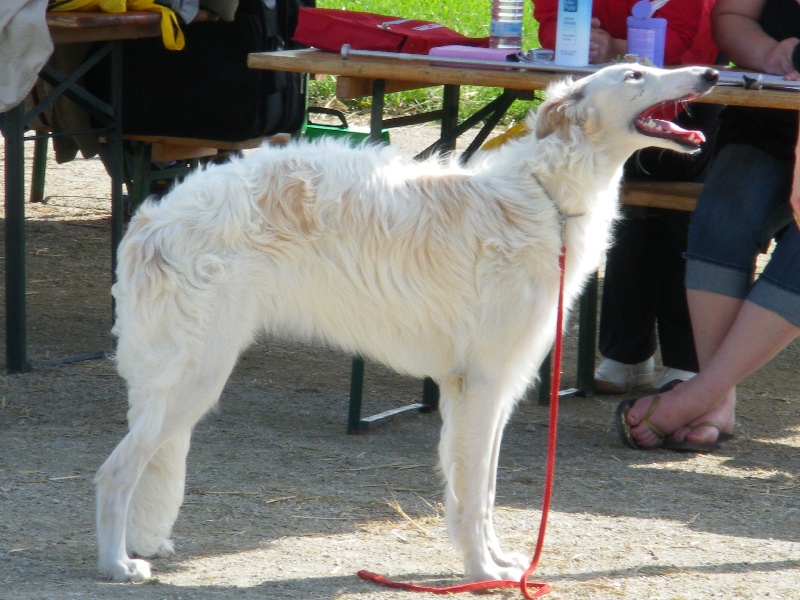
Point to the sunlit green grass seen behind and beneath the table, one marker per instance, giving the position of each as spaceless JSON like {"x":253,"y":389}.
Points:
{"x":470,"y":17}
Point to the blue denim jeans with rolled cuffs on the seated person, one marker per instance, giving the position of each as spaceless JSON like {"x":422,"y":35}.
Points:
{"x":743,"y":206}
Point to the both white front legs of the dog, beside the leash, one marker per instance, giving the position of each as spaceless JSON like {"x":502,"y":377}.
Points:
{"x":474,"y":412}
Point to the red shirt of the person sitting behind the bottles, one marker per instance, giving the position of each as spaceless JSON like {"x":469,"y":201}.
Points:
{"x":688,"y":39}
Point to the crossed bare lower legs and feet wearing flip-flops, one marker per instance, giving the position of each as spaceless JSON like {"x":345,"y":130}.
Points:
{"x":754,"y":337}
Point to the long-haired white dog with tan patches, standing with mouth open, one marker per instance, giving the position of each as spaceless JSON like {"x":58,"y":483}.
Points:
{"x":442,"y":271}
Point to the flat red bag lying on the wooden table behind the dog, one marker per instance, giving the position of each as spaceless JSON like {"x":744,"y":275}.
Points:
{"x":329,"y":29}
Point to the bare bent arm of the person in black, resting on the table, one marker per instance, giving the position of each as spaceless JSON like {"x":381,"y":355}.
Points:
{"x":741,"y":38}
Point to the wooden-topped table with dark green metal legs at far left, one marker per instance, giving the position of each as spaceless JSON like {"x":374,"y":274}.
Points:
{"x":66,"y":27}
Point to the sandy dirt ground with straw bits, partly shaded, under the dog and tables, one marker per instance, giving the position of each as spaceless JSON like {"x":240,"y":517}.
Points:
{"x":281,"y":503}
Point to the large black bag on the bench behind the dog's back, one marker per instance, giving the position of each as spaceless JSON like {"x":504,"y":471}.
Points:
{"x":206,"y":90}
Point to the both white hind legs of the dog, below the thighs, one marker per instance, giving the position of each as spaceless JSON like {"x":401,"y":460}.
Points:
{"x":141,"y":483}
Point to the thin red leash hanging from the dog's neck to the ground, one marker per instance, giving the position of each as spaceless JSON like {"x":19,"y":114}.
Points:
{"x":540,"y":589}
